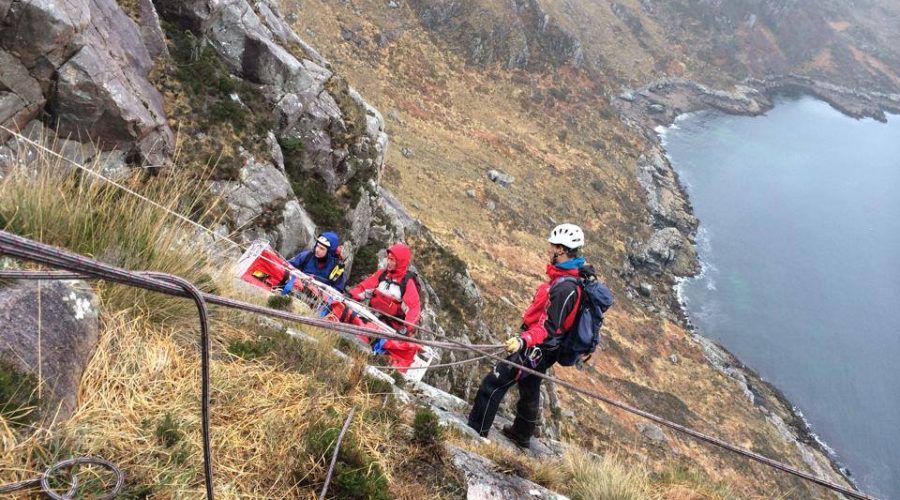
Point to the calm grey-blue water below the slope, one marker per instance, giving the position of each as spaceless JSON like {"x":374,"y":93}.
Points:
{"x":800,"y":239}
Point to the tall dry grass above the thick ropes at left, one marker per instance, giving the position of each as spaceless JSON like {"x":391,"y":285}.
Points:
{"x":51,"y":201}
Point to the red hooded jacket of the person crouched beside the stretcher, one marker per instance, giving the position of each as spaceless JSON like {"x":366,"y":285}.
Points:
{"x":384,"y":295}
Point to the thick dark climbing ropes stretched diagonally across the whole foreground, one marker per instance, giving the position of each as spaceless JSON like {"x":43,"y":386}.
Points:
{"x":20,"y":247}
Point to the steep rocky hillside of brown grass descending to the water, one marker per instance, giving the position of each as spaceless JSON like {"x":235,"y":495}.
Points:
{"x":283,"y":114}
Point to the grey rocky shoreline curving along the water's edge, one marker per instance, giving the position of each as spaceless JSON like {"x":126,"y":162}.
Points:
{"x":670,"y":253}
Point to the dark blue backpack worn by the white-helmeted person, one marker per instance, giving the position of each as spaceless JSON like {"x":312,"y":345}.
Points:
{"x":584,"y":335}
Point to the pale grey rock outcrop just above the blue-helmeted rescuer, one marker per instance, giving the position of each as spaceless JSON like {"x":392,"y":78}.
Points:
{"x":262,"y":206}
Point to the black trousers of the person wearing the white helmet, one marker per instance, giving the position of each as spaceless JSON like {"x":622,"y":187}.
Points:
{"x":493,"y":388}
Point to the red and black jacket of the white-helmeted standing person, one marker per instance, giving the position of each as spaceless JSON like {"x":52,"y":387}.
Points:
{"x":552,"y":310}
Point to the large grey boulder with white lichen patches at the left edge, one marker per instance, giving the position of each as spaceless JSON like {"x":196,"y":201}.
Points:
{"x":50,"y":334}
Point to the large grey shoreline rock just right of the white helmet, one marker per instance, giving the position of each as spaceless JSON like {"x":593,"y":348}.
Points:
{"x":667,"y":250}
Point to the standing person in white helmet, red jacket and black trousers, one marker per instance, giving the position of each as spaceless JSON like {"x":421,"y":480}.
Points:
{"x":551,"y":314}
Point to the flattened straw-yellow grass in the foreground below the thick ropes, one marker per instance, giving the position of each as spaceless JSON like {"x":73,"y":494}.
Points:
{"x":261,"y":417}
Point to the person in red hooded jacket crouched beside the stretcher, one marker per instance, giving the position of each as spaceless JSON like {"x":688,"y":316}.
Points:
{"x":392,"y":292}
